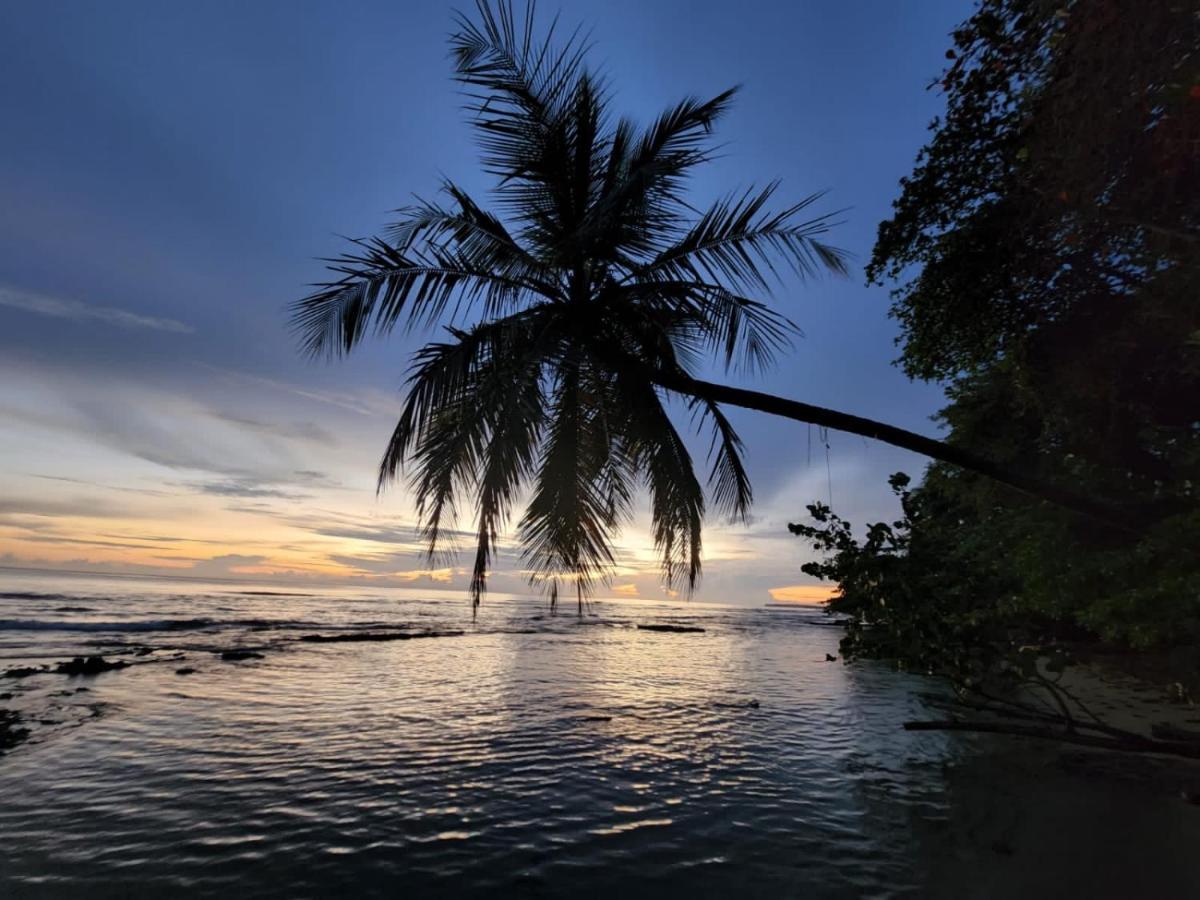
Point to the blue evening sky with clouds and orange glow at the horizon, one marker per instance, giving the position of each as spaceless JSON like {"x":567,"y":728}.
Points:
{"x":171,"y":175}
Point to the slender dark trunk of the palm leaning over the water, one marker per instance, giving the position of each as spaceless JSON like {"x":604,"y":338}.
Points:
{"x":898,"y":437}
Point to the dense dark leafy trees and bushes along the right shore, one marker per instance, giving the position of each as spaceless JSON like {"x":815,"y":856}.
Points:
{"x":1047,"y":249}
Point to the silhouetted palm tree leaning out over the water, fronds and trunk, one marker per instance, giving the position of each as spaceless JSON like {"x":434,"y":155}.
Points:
{"x":597,"y":291}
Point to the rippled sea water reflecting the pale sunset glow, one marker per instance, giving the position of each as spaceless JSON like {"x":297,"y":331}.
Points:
{"x":533,"y":755}
